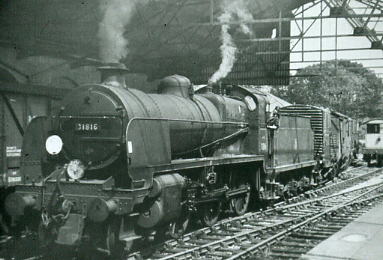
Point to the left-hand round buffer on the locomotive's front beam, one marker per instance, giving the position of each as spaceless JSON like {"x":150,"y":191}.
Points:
{"x":15,"y":204}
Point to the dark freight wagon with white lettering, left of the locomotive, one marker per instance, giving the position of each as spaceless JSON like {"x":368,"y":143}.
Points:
{"x":19,"y":104}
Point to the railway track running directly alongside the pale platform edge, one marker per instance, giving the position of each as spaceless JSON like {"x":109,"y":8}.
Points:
{"x":298,"y":239}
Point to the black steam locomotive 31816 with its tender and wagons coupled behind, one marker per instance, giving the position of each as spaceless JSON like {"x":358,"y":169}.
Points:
{"x":115,"y":165}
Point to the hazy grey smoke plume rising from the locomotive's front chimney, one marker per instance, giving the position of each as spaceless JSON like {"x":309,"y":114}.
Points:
{"x":117,"y":15}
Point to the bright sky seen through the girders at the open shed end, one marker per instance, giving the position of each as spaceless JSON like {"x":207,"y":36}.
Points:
{"x":329,"y":28}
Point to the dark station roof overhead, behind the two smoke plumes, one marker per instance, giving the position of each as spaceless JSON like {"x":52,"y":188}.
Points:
{"x":165,"y":36}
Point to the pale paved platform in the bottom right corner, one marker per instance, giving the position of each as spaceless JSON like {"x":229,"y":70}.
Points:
{"x":361,"y":239}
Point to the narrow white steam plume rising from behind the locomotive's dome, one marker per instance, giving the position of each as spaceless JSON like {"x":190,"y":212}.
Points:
{"x":231,"y":8}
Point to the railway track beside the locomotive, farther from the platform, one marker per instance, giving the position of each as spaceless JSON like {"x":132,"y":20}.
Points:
{"x":231,"y":237}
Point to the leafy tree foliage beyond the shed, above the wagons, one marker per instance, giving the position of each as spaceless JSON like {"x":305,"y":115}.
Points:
{"x":345,"y":86}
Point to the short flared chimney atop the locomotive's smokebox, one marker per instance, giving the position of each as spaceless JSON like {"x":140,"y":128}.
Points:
{"x":113,"y":74}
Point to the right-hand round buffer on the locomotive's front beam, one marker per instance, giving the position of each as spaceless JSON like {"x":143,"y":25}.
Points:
{"x":100,"y":209}
